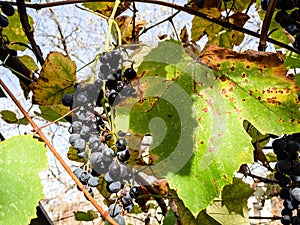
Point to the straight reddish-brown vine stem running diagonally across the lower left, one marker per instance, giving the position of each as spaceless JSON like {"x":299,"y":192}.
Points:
{"x":103,"y":213}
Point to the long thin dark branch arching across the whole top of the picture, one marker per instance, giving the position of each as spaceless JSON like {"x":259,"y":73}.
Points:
{"x":186,"y":9}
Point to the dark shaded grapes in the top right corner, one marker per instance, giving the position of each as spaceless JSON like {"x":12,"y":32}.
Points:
{"x":290,"y":21}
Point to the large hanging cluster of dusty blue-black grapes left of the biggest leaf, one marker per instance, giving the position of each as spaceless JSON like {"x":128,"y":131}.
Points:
{"x":104,"y":152}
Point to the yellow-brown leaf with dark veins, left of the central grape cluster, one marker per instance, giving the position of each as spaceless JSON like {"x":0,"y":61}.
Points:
{"x":56,"y":79}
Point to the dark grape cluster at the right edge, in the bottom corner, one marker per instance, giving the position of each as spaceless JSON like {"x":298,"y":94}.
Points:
{"x":287,"y":150}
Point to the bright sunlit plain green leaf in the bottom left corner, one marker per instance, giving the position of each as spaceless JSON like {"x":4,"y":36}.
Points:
{"x":22,"y":158}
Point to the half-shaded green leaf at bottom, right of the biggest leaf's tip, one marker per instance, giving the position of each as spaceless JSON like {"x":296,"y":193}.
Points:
{"x":232,"y":207}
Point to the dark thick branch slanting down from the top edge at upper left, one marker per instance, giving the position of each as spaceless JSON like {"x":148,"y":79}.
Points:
{"x":28,"y":31}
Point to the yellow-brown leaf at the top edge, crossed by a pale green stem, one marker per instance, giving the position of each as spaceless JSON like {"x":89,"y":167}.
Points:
{"x":105,"y":8}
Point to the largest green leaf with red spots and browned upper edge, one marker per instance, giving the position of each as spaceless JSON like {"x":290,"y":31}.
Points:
{"x":196,"y":114}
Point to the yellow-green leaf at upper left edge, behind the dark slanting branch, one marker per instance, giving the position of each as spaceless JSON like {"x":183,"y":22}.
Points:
{"x":15,"y":32}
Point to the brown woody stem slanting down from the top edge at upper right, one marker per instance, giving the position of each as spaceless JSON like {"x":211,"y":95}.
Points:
{"x":266,"y":25}
